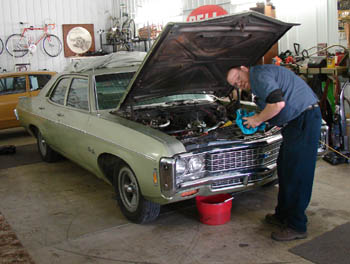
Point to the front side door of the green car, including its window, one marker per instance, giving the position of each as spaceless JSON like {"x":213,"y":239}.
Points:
{"x":73,"y":120}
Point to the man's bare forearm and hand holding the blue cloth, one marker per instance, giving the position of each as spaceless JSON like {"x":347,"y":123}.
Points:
{"x":269,"y":112}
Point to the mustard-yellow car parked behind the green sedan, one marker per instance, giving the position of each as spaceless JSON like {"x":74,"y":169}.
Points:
{"x":17,"y":84}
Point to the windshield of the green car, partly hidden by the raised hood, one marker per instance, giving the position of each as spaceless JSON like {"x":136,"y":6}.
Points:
{"x":110,"y":88}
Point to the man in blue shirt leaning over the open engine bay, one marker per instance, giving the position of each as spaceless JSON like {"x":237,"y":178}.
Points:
{"x":288,"y":102}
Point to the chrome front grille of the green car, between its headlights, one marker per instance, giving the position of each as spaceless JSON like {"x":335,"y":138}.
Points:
{"x":240,"y":159}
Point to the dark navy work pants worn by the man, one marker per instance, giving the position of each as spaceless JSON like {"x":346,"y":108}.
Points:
{"x":296,"y":167}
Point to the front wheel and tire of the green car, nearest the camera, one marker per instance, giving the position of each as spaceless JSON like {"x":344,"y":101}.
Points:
{"x":131,"y":202}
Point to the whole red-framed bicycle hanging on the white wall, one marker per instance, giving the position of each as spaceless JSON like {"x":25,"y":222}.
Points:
{"x":18,"y":45}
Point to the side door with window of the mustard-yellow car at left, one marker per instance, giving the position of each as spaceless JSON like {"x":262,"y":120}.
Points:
{"x":11,"y":88}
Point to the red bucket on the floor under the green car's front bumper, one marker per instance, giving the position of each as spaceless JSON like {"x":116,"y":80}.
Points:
{"x":215,"y":209}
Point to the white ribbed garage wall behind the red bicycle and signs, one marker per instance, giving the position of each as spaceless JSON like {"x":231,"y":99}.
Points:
{"x":318,"y":20}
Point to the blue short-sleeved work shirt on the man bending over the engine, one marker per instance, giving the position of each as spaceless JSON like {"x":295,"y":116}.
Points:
{"x":297,"y":95}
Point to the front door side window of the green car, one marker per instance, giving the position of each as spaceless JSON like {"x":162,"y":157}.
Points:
{"x":78,"y":94}
